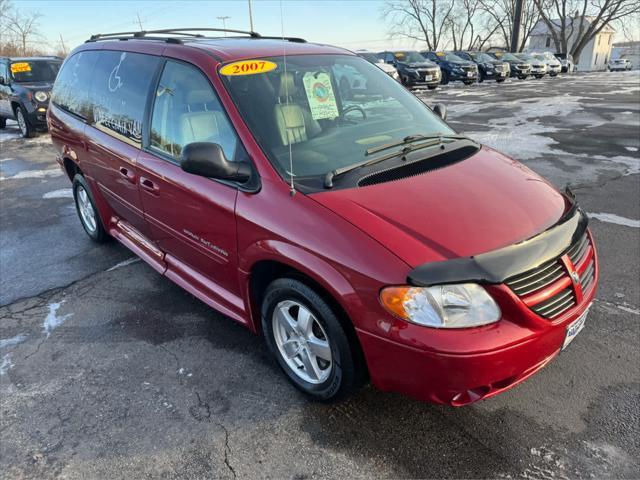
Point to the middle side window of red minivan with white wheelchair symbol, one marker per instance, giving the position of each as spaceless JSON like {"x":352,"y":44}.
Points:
{"x":119,"y":93}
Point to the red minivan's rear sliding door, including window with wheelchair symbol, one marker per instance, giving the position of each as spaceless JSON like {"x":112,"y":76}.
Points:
{"x":121,"y":87}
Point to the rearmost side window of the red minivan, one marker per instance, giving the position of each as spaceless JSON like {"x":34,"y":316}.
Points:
{"x":71,"y":89}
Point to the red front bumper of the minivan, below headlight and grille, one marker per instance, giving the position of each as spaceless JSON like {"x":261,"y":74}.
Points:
{"x":470,"y":364}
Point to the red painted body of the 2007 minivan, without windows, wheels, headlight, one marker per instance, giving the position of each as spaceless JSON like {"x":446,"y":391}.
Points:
{"x":350,"y":242}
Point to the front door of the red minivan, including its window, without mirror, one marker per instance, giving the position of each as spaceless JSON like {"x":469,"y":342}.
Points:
{"x":191,"y":218}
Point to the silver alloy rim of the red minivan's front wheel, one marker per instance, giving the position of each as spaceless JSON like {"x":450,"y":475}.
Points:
{"x":302,"y":341}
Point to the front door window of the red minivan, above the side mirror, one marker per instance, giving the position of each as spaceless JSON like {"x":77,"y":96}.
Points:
{"x":187,"y":110}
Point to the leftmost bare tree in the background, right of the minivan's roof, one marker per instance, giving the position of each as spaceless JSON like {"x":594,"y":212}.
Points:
{"x":422,"y":20}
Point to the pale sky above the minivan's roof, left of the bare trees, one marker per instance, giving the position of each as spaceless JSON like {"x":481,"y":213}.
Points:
{"x":350,"y":23}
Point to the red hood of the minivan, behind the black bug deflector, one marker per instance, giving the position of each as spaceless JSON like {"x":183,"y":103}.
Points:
{"x":483,"y":203}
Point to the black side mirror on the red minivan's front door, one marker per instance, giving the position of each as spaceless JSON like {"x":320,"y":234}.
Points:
{"x":208,"y":160}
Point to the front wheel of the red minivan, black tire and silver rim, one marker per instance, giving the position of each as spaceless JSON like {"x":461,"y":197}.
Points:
{"x":307,"y":340}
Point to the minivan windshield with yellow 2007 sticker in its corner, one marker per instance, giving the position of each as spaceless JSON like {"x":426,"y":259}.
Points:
{"x":329,"y":109}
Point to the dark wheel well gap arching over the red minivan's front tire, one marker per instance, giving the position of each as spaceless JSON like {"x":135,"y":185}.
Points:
{"x":264,"y":272}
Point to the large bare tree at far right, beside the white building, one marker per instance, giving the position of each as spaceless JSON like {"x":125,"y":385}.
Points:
{"x":572,"y":24}
